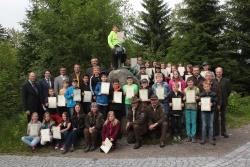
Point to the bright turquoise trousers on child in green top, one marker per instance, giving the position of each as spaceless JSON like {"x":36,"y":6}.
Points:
{"x":191,"y":116}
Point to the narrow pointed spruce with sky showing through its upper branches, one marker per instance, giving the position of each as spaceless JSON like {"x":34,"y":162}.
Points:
{"x":153,"y":31}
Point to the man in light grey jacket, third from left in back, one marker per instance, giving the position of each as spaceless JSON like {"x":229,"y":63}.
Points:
{"x":58,"y":82}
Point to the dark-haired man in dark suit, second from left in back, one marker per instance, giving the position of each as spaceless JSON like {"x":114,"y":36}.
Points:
{"x":46,"y":83}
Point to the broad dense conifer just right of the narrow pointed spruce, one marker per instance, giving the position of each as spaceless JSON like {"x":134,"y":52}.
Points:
{"x":198,"y":26}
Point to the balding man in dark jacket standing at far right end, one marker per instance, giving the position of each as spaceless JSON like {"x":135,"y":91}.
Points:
{"x":224,"y":90}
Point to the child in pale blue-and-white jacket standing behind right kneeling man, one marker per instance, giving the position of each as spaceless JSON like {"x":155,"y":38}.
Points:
{"x":161,"y":84}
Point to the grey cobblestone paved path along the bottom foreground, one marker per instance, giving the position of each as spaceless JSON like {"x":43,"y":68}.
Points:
{"x":238,"y":158}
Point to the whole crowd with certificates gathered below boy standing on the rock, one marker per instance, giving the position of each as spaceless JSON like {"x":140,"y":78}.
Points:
{"x":157,"y":100}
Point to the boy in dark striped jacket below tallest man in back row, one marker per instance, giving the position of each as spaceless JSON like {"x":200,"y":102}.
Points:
{"x":94,"y":79}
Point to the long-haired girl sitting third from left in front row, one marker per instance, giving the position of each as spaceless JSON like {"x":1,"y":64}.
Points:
{"x":65,"y":128}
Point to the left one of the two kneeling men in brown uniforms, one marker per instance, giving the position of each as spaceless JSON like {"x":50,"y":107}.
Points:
{"x":137,"y":121}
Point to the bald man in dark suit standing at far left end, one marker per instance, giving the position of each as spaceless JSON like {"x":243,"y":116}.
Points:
{"x":32,"y":97}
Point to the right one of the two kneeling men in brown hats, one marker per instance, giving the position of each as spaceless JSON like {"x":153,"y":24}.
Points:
{"x":157,"y":119}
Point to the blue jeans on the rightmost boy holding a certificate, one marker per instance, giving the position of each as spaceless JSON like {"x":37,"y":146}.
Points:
{"x":207,"y":119}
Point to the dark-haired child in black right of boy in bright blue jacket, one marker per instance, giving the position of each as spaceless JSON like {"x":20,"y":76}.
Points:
{"x":85,"y":87}
